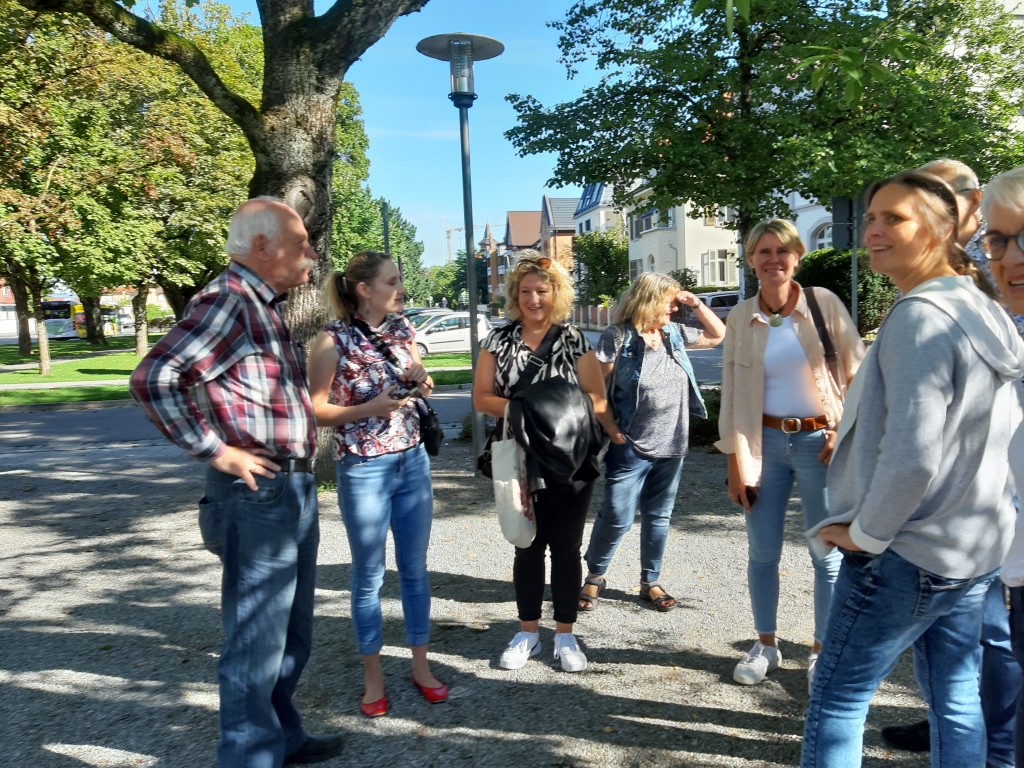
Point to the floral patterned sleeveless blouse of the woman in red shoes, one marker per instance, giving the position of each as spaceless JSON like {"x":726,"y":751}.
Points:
{"x":363,"y":374}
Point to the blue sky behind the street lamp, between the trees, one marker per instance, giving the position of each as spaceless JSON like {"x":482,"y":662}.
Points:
{"x":414,"y":129}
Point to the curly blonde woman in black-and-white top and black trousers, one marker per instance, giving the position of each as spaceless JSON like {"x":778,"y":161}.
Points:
{"x":540,"y":296}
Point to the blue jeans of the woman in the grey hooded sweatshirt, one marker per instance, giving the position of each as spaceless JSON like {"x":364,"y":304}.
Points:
{"x":881,"y":606}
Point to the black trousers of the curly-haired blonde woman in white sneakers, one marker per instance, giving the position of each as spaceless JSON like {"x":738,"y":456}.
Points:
{"x":561,"y":514}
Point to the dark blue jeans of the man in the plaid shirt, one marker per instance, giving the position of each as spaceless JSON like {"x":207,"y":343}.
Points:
{"x":268,"y":542}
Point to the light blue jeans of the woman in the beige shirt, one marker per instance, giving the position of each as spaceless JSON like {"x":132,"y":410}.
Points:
{"x":786,"y":458}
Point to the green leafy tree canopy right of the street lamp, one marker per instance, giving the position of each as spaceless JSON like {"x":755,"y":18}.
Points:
{"x":812,"y":99}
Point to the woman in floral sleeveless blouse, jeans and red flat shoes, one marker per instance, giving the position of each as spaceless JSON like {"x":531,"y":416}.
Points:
{"x":362,"y":367}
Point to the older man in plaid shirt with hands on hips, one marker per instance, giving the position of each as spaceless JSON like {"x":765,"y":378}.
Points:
{"x":229,"y":386}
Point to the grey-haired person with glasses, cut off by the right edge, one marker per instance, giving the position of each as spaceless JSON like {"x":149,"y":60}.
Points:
{"x":1003,"y":208}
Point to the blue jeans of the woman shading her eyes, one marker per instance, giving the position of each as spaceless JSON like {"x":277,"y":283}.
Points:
{"x":632,"y":483}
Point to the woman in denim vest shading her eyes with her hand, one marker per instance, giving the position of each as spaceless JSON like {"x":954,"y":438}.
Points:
{"x":654,"y":393}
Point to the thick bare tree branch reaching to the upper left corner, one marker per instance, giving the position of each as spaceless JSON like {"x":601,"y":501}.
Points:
{"x":152,"y":39}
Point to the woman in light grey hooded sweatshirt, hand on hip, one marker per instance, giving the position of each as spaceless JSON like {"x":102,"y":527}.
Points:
{"x":918,"y":488}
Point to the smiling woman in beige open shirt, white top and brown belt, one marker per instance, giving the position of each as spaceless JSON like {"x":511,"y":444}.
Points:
{"x":781,"y":407}
